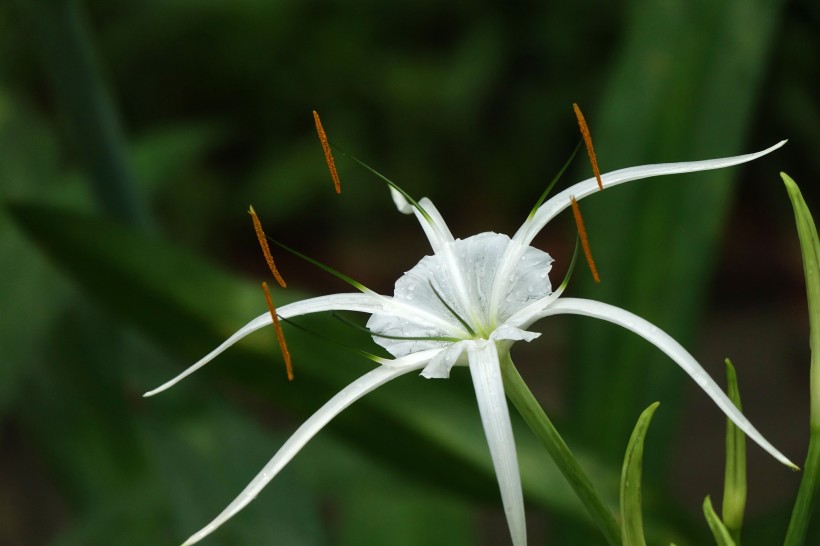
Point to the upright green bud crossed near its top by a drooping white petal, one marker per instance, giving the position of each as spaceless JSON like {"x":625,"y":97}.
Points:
{"x":734,"y":484}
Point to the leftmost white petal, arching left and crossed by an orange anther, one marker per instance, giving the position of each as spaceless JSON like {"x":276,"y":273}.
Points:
{"x":366,"y":303}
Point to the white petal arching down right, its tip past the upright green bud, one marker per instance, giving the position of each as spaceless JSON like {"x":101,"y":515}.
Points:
{"x":674,"y":350}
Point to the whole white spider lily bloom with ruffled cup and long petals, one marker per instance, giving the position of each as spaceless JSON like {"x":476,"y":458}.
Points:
{"x":467,"y":304}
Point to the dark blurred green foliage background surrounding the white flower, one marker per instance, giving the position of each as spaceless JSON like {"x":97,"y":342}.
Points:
{"x":133,"y":136}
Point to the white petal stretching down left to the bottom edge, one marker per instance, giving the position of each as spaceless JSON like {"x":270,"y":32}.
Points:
{"x":303,"y":434}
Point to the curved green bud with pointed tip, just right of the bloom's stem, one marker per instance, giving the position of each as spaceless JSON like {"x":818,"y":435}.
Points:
{"x":631,"y":516}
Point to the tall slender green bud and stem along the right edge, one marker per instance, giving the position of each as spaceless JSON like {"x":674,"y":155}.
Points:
{"x":810,"y":247}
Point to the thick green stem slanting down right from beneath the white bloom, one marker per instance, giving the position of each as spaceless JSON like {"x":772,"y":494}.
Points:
{"x":529,"y":408}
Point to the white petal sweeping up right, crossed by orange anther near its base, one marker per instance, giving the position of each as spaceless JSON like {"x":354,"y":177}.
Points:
{"x":559,"y":202}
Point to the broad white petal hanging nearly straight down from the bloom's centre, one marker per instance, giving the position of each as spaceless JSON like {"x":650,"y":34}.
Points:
{"x":492,"y":405}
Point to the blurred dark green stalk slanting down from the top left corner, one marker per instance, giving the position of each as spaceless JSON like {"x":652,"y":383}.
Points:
{"x":92,"y":124}
